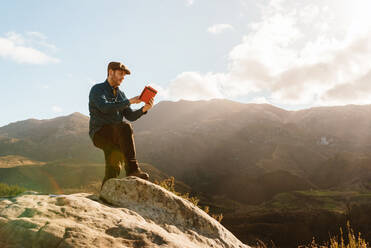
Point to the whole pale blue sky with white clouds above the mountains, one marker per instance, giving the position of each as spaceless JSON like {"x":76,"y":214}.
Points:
{"x":288,"y":53}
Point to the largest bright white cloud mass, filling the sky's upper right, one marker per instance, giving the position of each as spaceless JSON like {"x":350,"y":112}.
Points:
{"x":299,"y":52}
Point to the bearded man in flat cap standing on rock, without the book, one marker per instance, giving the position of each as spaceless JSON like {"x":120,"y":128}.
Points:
{"x":107,"y":106}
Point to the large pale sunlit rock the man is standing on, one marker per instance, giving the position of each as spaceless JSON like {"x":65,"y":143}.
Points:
{"x":140,"y":214}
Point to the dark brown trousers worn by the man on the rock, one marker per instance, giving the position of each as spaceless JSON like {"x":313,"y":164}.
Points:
{"x":117,"y":142}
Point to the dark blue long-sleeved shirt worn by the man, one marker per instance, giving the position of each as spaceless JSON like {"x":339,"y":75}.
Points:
{"x":106,"y":108}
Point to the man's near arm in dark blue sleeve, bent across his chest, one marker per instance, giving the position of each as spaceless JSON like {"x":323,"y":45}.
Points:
{"x":98,"y":98}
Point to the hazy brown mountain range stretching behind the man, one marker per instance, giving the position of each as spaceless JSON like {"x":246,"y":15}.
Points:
{"x":218,"y":146}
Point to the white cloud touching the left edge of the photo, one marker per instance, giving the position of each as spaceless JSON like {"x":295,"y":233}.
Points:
{"x":16,"y":47}
